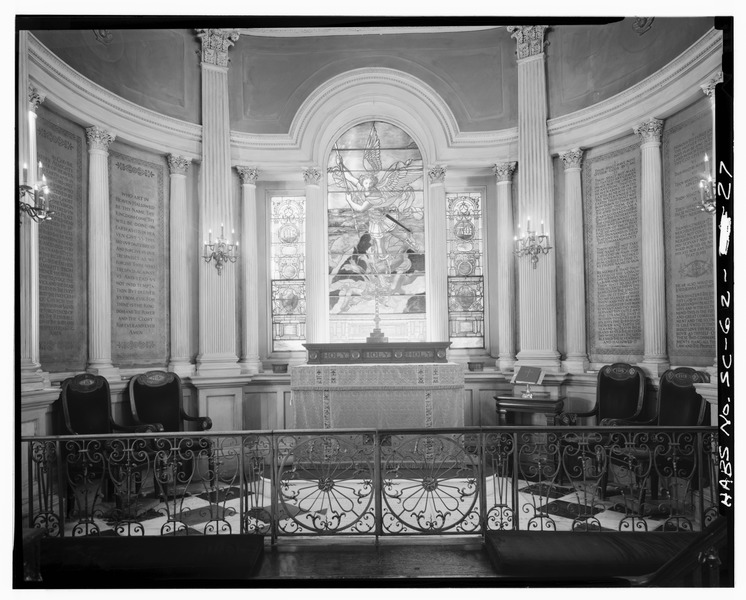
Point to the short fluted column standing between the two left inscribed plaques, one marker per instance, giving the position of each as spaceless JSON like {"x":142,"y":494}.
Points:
{"x":99,"y":254}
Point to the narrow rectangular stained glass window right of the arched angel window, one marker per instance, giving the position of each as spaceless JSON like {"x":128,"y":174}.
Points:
{"x":465,"y":270}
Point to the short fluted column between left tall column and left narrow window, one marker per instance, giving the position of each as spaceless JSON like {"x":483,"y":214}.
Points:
{"x":250,"y":362}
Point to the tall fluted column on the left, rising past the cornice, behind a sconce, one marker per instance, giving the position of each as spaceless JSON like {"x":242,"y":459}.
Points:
{"x":217,"y":308}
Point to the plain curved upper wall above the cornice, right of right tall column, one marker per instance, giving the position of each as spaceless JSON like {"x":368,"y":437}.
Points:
{"x":588,"y":64}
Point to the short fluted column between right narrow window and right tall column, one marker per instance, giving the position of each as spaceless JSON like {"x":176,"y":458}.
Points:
{"x":505,"y":266}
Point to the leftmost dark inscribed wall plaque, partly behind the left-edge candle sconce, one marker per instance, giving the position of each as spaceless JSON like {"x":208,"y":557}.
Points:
{"x":63,"y":308}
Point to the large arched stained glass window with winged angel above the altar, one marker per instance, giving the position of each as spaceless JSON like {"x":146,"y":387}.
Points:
{"x":376,"y":234}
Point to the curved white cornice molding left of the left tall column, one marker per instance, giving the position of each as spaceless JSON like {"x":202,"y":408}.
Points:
{"x":88,"y":104}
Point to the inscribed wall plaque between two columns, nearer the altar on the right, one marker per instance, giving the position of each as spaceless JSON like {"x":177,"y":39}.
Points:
{"x":611,"y":178}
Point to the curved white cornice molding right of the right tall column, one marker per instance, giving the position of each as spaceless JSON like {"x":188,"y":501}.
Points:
{"x":663,"y":93}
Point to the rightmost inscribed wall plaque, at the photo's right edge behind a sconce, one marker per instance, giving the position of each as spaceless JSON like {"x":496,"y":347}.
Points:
{"x":690,"y":284}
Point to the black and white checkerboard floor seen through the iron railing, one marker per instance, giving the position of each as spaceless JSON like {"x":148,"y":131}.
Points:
{"x":201,"y":511}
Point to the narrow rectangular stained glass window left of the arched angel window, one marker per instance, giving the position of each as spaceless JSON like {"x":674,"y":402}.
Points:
{"x":288,"y":254}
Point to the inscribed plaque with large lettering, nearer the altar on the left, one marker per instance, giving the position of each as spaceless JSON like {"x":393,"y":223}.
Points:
{"x":139,"y":259}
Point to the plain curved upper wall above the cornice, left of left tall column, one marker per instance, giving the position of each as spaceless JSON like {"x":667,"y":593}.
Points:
{"x":158,"y":69}
